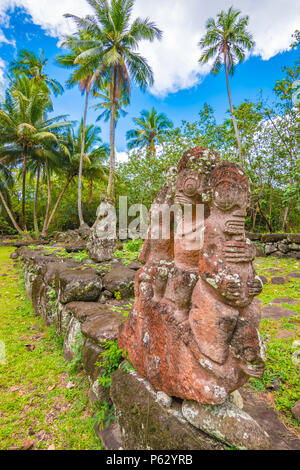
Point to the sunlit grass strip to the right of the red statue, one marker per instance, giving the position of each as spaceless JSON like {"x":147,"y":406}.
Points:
{"x":281,"y":381}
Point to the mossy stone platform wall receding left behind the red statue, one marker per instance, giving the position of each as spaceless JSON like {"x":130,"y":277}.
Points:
{"x":78,"y":299}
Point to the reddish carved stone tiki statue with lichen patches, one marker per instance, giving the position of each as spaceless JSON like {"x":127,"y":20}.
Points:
{"x":193,"y":330}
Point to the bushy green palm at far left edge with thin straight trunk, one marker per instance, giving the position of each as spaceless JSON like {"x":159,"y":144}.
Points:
{"x":23,"y":129}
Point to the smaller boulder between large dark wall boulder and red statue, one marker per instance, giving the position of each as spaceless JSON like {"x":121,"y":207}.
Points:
{"x":120,"y":279}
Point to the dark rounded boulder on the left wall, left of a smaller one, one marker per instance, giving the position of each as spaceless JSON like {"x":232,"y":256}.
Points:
{"x":78,"y":284}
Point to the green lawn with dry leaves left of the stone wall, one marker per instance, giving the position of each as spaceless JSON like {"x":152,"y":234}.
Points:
{"x":39,"y":400}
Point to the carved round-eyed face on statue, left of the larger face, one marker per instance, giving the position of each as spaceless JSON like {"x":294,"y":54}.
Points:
{"x":189,"y":187}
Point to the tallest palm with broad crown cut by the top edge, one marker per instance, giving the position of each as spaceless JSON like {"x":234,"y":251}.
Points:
{"x":113,"y":50}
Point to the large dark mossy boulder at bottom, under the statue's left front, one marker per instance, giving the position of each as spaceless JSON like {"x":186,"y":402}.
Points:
{"x":147,"y":424}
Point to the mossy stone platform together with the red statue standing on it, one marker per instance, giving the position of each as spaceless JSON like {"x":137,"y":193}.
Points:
{"x":192,"y":335}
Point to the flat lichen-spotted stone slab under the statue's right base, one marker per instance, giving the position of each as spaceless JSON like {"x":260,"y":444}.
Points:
{"x":228,"y":423}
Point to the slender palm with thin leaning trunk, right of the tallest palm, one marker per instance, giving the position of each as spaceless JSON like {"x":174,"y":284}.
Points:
{"x":227,"y":40}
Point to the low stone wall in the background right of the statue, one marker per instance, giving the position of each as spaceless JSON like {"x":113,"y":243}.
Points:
{"x":281,"y":245}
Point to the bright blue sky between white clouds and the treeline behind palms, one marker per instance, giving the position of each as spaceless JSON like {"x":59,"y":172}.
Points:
{"x":180,"y":96}
